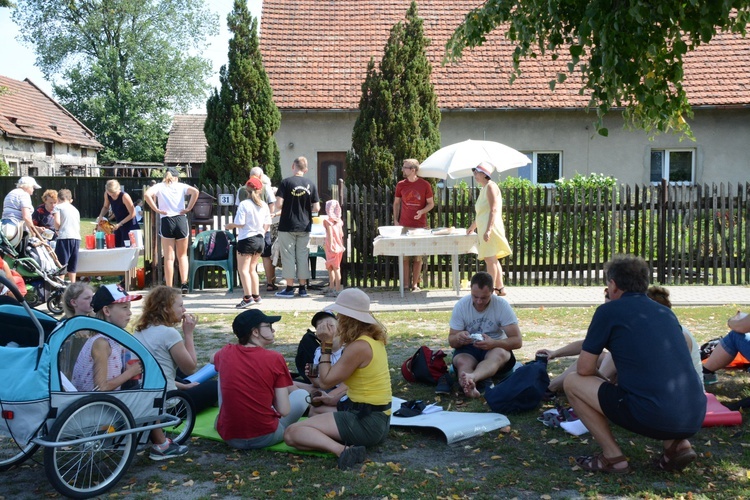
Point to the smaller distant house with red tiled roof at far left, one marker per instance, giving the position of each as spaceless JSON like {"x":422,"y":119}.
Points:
{"x":40,"y":137}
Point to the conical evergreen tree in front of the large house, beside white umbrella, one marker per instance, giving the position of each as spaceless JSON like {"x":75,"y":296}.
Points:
{"x":399,"y":117}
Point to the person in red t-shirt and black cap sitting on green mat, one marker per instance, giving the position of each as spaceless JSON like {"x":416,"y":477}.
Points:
{"x":257,"y":398}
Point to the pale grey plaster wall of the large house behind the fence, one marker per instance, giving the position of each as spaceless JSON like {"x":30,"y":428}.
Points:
{"x":722,"y":145}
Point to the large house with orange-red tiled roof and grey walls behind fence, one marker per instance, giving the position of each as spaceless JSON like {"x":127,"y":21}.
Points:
{"x":316,"y":53}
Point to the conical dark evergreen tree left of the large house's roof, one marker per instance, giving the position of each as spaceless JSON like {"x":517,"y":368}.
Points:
{"x":242,"y":117}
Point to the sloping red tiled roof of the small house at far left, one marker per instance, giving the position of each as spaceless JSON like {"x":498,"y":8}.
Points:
{"x":27,"y":112}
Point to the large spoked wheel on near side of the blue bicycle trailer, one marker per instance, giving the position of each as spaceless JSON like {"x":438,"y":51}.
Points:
{"x":91,"y":468}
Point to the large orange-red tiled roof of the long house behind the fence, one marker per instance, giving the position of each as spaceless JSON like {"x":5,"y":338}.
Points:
{"x":316,"y":53}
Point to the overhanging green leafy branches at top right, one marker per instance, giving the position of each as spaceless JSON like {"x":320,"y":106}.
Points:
{"x":629,"y":53}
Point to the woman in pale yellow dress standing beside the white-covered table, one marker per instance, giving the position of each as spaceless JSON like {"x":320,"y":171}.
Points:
{"x":493,"y":245}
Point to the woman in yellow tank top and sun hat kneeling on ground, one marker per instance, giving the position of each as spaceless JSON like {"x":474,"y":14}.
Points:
{"x":363,"y":367}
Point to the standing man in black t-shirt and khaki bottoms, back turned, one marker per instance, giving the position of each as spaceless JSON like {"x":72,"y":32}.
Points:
{"x":296,"y":200}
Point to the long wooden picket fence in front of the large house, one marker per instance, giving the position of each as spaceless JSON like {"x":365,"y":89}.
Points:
{"x":698,"y":234}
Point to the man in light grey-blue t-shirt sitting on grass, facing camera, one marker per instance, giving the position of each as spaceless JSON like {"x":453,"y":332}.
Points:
{"x":491,"y":320}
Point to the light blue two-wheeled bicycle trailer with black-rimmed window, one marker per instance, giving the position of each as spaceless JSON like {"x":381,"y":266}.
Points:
{"x":89,"y":438}
